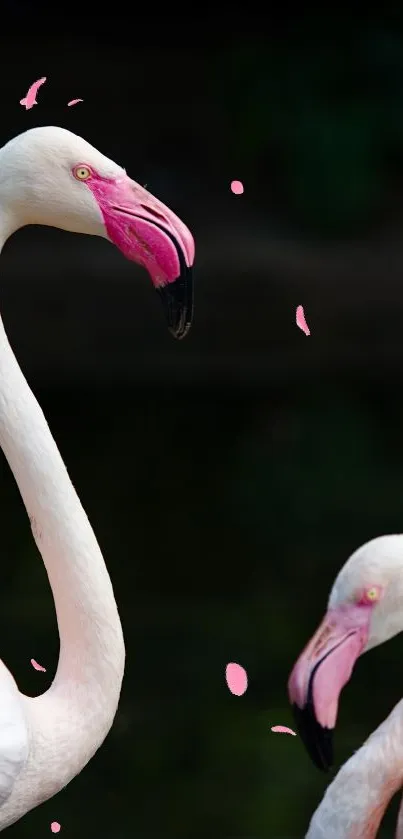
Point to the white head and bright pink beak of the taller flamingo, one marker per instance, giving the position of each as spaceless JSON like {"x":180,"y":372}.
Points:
{"x":50,"y":176}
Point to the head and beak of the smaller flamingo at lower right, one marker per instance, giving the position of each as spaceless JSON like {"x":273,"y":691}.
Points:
{"x":365,"y":609}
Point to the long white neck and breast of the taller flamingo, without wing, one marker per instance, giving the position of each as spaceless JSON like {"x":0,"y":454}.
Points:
{"x":70,"y":721}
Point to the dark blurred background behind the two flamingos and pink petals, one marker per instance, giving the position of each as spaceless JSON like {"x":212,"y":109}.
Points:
{"x":227,"y":477}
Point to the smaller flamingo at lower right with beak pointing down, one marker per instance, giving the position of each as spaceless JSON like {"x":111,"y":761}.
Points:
{"x":364,"y":610}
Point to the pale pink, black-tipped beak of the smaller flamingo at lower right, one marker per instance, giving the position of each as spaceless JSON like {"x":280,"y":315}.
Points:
{"x":320,"y":674}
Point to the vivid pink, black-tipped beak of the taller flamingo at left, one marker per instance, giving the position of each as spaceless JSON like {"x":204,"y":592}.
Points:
{"x":149,"y":233}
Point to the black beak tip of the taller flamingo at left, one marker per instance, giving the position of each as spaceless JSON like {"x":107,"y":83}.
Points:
{"x":177,"y":301}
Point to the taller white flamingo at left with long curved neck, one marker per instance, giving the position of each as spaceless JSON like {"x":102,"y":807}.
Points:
{"x":50,"y":176}
